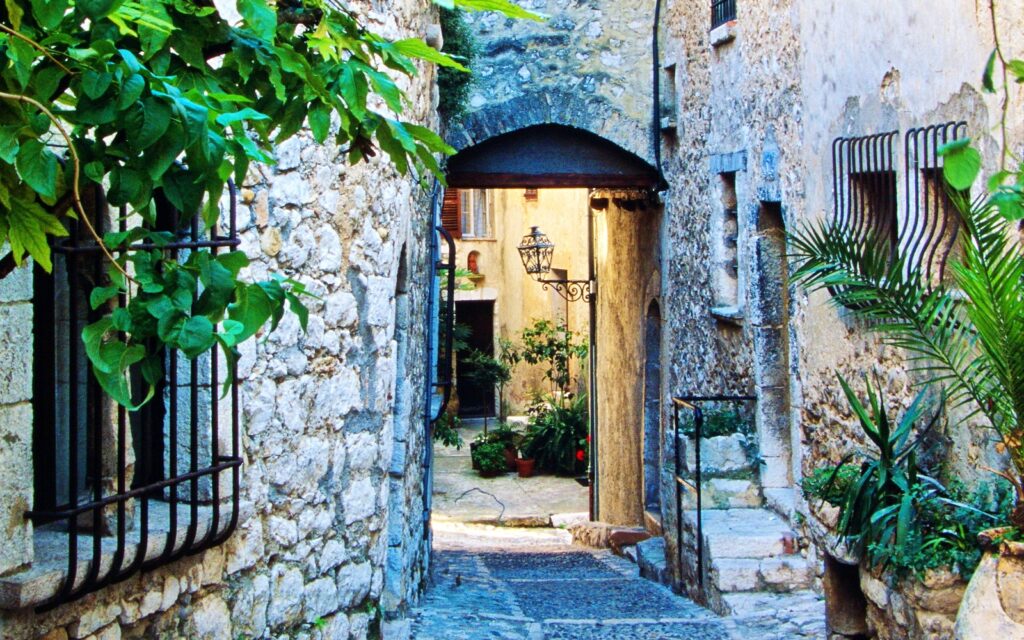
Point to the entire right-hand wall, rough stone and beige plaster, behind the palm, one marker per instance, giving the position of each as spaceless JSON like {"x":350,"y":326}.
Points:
{"x":757,"y":105}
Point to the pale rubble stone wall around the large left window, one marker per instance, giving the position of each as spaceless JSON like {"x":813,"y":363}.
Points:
{"x":332,"y":418}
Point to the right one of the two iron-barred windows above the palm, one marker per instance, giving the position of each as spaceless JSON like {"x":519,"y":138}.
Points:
{"x":933,"y":223}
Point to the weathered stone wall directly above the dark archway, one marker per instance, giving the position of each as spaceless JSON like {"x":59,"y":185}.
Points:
{"x":588,"y":66}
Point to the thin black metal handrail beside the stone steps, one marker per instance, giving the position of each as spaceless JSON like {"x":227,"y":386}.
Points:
{"x":693,"y":404}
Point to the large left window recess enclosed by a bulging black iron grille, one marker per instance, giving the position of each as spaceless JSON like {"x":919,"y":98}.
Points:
{"x":124,"y":493}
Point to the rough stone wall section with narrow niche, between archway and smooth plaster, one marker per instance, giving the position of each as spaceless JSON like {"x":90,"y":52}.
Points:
{"x":738,"y":112}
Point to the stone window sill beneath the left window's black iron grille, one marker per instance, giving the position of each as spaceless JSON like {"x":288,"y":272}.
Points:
{"x":40,"y":582}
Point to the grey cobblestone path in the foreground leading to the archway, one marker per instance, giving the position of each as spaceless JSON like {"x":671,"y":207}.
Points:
{"x":492,"y":583}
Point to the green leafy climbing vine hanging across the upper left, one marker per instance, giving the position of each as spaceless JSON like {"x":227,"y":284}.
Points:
{"x":173,"y":99}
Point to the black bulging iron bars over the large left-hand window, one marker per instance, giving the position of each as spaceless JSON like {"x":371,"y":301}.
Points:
{"x":159,"y":476}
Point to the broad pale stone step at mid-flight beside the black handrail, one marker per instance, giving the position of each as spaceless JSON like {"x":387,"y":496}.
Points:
{"x":746,"y":534}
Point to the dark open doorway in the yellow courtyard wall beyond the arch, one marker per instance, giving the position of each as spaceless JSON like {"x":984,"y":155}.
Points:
{"x":476,"y":400}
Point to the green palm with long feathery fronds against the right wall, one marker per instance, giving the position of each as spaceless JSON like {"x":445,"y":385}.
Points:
{"x":969,"y":337}
